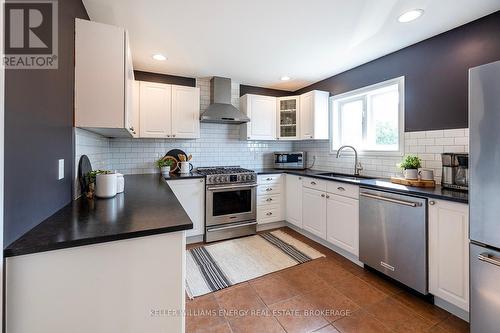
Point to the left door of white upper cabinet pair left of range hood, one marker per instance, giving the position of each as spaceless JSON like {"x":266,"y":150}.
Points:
{"x":155,"y":110}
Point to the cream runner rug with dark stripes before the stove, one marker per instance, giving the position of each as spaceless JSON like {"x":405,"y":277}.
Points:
{"x":221,"y":265}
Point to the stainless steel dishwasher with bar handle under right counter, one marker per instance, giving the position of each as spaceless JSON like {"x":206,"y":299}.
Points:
{"x":393,"y":236}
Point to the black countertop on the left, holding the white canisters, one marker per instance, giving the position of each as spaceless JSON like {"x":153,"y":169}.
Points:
{"x":147,"y":207}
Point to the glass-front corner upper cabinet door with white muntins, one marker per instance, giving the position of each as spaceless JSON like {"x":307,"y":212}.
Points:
{"x":288,"y":118}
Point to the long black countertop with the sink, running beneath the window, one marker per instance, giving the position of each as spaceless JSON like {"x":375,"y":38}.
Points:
{"x":381,"y":184}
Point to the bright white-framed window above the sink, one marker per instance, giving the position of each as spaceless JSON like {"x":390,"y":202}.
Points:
{"x":370,"y":118}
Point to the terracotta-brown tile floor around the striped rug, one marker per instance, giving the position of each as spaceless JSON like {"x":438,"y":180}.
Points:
{"x":325,"y":295}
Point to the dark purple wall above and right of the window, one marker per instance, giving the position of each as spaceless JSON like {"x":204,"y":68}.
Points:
{"x":435,"y":70}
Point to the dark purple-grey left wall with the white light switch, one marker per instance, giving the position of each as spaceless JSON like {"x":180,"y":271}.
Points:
{"x":38,"y":132}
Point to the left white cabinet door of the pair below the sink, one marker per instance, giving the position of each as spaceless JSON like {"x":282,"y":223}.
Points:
{"x":314,"y":211}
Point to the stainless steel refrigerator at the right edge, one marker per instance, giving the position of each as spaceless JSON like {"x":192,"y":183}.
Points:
{"x":484,"y":197}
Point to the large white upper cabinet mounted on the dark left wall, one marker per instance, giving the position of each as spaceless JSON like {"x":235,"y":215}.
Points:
{"x":104,"y":80}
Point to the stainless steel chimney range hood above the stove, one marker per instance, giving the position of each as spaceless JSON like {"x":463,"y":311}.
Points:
{"x":220,"y":109}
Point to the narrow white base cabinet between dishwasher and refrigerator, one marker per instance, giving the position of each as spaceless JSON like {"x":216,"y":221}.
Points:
{"x":449,"y":252}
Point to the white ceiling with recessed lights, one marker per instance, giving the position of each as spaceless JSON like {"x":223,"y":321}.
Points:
{"x":257,"y":42}
